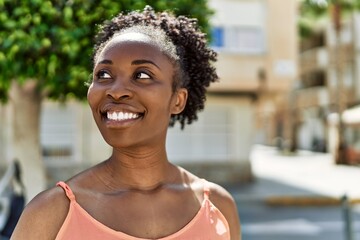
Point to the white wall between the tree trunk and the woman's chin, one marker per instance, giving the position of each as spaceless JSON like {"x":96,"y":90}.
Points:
{"x":71,"y":127}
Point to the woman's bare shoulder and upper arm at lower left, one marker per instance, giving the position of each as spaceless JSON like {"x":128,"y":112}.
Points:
{"x":43,"y":216}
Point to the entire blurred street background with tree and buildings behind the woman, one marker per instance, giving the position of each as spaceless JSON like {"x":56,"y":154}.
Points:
{"x":280,"y":129}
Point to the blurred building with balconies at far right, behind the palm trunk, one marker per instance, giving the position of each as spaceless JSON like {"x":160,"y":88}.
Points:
{"x":328,"y":88}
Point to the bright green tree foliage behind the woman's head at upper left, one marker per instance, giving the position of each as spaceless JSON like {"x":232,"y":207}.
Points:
{"x":52,"y":41}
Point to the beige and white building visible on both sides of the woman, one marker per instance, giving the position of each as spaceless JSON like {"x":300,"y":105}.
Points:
{"x":257,"y":45}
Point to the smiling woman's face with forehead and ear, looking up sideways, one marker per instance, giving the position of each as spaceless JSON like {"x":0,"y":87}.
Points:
{"x":131,"y":96}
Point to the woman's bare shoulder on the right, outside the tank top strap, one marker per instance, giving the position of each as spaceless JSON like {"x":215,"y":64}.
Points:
{"x":223,"y":200}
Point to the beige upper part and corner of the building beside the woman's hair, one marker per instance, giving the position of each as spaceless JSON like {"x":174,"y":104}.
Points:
{"x":257,"y":42}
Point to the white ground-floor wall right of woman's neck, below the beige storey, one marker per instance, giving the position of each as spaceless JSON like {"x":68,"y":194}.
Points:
{"x":223,"y":133}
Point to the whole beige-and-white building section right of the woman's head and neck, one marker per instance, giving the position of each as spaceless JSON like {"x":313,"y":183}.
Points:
{"x":257,"y":45}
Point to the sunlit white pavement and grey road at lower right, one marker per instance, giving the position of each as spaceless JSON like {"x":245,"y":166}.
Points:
{"x":296,"y":213}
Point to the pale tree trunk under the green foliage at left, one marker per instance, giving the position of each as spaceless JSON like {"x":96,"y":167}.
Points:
{"x":26,"y":108}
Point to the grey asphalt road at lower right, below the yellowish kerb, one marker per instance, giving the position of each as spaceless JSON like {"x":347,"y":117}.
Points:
{"x":261,"y":221}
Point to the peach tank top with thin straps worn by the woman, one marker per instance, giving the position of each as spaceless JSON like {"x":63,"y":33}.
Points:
{"x":208,"y":224}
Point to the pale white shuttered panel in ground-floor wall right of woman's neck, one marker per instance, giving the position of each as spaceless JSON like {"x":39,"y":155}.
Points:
{"x":210,"y":138}
